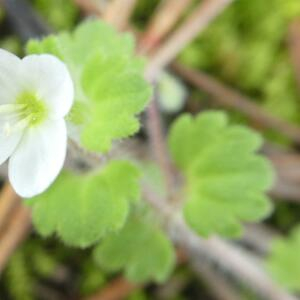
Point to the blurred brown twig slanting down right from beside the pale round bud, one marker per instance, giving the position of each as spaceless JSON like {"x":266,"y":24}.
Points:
{"x":232,"y":99}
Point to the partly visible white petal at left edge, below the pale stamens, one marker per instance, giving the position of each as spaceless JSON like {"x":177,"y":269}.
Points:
{"x":8,"y":143}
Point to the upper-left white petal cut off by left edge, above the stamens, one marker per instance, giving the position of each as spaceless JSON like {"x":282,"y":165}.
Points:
{"x":9,"y":76}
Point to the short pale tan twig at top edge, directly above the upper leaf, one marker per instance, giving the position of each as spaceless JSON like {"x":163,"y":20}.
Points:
{"x":118,"y":13}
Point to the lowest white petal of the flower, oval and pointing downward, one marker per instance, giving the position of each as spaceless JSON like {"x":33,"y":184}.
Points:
{"x":38,"y":158}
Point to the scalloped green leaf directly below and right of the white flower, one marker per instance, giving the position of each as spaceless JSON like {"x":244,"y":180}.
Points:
{"x":82,"y":209}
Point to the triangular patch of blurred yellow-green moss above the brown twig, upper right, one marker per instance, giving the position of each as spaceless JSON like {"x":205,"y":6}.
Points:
{"x":252,"y":55}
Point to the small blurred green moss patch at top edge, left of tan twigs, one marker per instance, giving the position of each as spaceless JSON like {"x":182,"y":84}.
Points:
{"x":60,"y":14}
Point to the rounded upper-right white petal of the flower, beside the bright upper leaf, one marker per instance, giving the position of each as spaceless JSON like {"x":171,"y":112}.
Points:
{"x":50,"y":78}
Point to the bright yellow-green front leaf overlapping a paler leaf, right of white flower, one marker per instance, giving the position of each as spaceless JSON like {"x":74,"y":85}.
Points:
{"x":117,"y":94}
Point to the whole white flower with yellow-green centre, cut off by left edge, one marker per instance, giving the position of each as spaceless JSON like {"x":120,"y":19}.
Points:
{"x":36,"y":93}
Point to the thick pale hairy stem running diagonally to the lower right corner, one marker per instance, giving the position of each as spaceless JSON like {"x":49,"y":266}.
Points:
{"x":234,"y":261}
